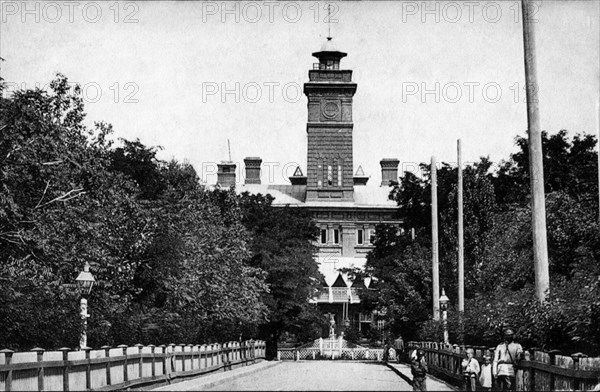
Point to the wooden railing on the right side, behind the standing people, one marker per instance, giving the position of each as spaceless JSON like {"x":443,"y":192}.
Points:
{"x":537,"y":371}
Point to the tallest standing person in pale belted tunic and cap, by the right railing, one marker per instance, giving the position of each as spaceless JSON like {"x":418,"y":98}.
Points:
{"x":505,"y":358}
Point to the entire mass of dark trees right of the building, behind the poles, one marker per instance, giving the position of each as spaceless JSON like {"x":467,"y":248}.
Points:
{"x":499,"y":275}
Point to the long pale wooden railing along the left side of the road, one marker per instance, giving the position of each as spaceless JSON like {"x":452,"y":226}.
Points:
{"x":120,"y":367}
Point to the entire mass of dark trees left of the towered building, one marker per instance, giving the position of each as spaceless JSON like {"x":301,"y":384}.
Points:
{"x":173,"y":261}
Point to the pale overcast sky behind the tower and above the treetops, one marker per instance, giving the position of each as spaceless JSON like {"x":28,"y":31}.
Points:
{"x":427,"y":73}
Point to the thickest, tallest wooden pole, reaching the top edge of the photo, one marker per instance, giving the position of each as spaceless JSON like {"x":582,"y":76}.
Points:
{"x":536,"y":164}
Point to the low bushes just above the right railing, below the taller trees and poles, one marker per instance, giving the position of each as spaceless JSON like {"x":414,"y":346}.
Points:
{"x":567,"y":321}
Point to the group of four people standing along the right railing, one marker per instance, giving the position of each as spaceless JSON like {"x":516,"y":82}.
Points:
{"x":502,"y":369}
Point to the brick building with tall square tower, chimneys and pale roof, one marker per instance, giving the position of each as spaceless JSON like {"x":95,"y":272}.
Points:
{"x":341,"y":201}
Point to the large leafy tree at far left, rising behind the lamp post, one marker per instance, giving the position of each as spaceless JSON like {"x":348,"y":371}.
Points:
{"x":60,"y":207}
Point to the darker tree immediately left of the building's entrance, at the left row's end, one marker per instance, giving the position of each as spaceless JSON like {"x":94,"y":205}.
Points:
{"x":282,"y":247}
